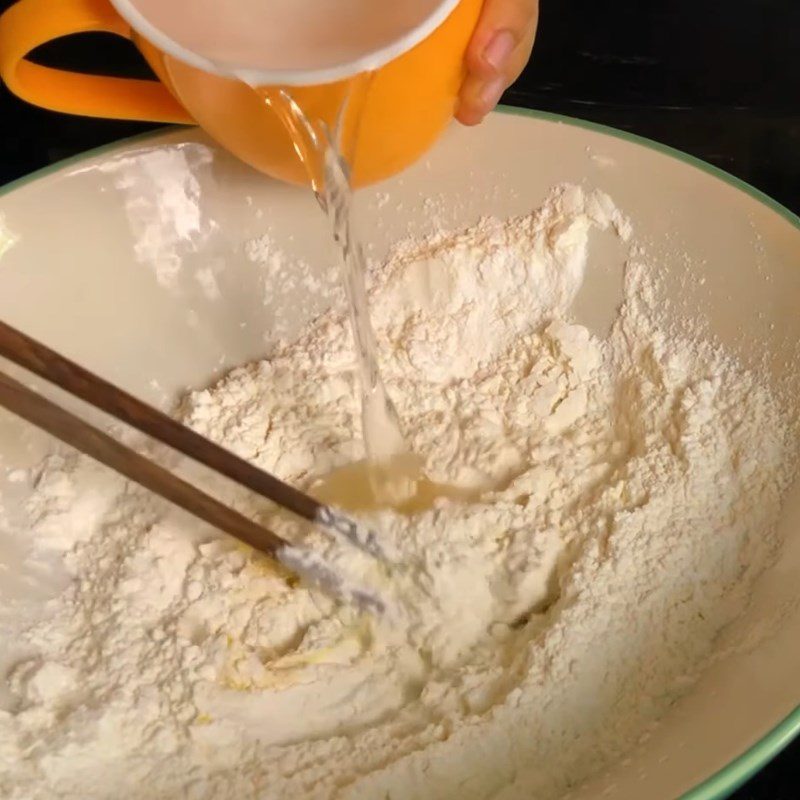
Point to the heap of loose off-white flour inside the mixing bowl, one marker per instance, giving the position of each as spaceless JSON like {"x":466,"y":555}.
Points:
{"x":630,"y":492}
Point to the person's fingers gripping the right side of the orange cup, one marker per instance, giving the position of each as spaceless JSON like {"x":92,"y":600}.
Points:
{"x":497,"y":54}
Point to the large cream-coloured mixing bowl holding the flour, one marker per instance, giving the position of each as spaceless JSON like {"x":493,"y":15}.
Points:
{"x":107,"y":258}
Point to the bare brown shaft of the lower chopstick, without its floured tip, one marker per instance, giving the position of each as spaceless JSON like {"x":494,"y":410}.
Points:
{"x":74,"y":431}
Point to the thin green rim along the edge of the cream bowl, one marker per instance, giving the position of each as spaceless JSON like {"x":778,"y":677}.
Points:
{"x":724,"y":782}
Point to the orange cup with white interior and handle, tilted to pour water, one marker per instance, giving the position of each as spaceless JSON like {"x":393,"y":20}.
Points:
{"x":207,"y":66}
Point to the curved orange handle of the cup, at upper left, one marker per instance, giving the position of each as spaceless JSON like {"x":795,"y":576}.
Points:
{"x":30,"y":23}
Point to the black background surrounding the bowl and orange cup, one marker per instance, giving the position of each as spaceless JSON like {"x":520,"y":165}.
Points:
{"x":720,"y":80}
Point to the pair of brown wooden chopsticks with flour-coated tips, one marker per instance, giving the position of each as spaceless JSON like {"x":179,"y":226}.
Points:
{"x":79,"y":382}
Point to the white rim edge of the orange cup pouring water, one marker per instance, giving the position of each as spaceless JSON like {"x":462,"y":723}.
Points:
{"x":290,"y":77}
